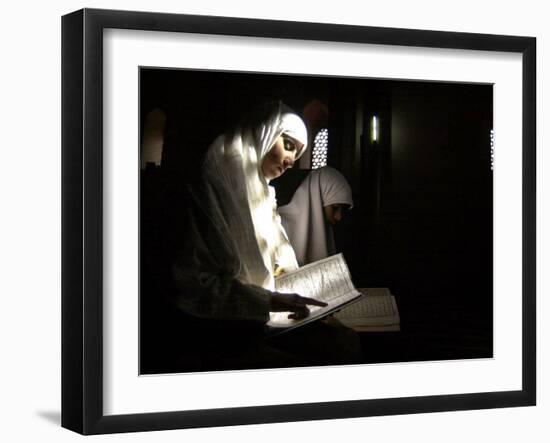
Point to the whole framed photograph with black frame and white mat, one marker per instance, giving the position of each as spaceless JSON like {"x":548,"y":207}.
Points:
{"x":269,"y":221}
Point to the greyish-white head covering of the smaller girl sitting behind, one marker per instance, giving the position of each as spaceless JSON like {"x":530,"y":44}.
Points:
{"x":310,"y":235}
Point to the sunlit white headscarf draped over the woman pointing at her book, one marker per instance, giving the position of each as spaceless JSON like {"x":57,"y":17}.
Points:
{"x":241,"y":203}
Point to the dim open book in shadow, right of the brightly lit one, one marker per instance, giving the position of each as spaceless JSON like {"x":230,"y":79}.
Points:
{"x":375,"y":312}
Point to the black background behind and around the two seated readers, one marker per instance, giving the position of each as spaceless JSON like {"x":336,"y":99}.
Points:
{"x":422,"y":218}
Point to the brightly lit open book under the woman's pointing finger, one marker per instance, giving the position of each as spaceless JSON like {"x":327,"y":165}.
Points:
{"x":327,"y":280}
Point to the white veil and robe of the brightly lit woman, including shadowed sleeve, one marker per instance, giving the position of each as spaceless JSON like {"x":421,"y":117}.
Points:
{"x":236,"y":231}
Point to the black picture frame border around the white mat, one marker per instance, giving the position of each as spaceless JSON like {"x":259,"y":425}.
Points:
{"x":82,"y":219}
